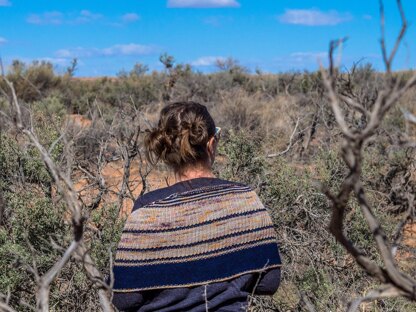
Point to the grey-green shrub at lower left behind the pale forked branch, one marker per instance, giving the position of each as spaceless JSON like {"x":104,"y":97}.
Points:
{"x":27,"y":238}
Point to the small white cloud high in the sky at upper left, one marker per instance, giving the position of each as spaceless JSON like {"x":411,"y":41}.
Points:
{"x":57,"y":18}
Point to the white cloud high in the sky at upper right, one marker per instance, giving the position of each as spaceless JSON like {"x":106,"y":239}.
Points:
{"x":313,"y":17}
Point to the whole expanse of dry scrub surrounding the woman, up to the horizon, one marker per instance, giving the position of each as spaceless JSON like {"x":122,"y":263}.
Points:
{"x":339,"y":184}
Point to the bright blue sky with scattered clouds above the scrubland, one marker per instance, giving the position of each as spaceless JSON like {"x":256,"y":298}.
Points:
{"x":273,"y":35}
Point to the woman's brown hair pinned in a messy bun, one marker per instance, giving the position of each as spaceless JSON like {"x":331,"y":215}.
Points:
{"x":182,"y":134}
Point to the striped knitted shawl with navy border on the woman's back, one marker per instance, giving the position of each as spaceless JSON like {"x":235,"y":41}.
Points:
{"x":209,"y":234}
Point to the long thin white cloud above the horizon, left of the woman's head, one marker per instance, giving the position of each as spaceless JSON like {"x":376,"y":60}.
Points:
{"x":115,"y":50}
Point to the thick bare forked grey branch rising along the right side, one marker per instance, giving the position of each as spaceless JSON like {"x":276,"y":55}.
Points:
{"x":397,"y":283}
